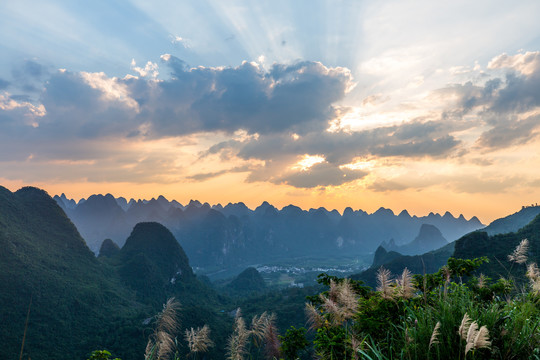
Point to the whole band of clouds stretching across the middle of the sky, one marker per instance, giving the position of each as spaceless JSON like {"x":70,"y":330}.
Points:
{"x":261,"y":121}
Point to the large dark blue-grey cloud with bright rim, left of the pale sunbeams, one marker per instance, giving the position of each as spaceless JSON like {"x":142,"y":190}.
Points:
{"x":296,"y":97}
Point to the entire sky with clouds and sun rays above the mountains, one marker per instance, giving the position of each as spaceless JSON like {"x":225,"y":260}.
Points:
{"x":417,"y":105}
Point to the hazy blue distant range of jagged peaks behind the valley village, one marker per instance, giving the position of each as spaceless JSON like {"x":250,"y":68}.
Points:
{"x":234,"y":234}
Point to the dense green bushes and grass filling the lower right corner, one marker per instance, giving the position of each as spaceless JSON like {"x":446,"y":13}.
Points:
{"x":427,"y":326}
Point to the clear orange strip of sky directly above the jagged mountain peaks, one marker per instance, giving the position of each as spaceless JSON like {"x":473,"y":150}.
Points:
{"x":420,"y":203}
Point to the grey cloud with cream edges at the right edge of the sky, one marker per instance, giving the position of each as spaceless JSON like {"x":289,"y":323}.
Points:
{"x":500,"y":104}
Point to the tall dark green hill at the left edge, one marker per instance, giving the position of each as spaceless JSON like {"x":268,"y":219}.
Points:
{"x":44,"y":259}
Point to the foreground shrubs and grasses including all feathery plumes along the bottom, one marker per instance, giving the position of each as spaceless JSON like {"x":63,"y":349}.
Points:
{"x":432,"y":316}
